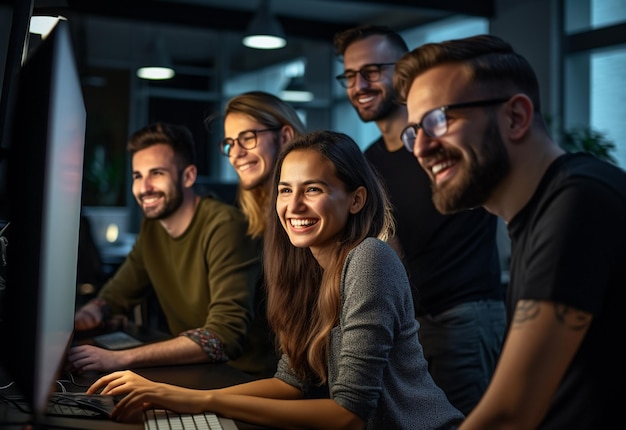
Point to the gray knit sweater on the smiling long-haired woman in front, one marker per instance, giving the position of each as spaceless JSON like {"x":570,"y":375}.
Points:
{"x":376,"y":365}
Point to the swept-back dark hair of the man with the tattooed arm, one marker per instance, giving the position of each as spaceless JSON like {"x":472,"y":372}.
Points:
{"x":495,"y":66}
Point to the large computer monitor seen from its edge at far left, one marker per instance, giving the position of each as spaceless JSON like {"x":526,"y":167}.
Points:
{"x":44,"y":179}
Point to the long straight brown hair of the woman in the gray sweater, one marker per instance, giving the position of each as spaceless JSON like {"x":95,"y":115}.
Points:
{"x":303,"y":299}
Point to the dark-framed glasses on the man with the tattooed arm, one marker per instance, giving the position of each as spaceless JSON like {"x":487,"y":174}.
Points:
{"x":435,"y":121}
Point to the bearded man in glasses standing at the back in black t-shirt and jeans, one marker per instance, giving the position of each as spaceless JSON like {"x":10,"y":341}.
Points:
{"x":452,"y":260}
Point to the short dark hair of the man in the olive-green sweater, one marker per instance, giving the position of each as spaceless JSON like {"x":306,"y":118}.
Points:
{"x":178,"y":137}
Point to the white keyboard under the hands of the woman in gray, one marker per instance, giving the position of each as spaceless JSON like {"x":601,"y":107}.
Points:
{"x":160,"y":419}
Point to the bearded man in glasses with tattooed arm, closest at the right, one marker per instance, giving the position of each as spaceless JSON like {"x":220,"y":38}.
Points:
{"x":476,"y":128}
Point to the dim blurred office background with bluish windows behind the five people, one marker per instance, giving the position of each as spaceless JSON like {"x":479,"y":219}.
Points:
{"x":578,"y":49}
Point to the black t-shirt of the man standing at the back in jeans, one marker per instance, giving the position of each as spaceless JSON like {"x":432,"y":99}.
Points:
{"x":450,"y":259}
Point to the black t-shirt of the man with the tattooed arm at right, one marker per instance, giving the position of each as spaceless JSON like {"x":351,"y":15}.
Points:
{"x":569,"y":246}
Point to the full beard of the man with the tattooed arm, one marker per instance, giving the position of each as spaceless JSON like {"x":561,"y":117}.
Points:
{"x":487,"y":168}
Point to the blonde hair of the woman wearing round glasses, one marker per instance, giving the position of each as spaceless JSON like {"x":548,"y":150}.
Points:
{"x":272,"y":112}
